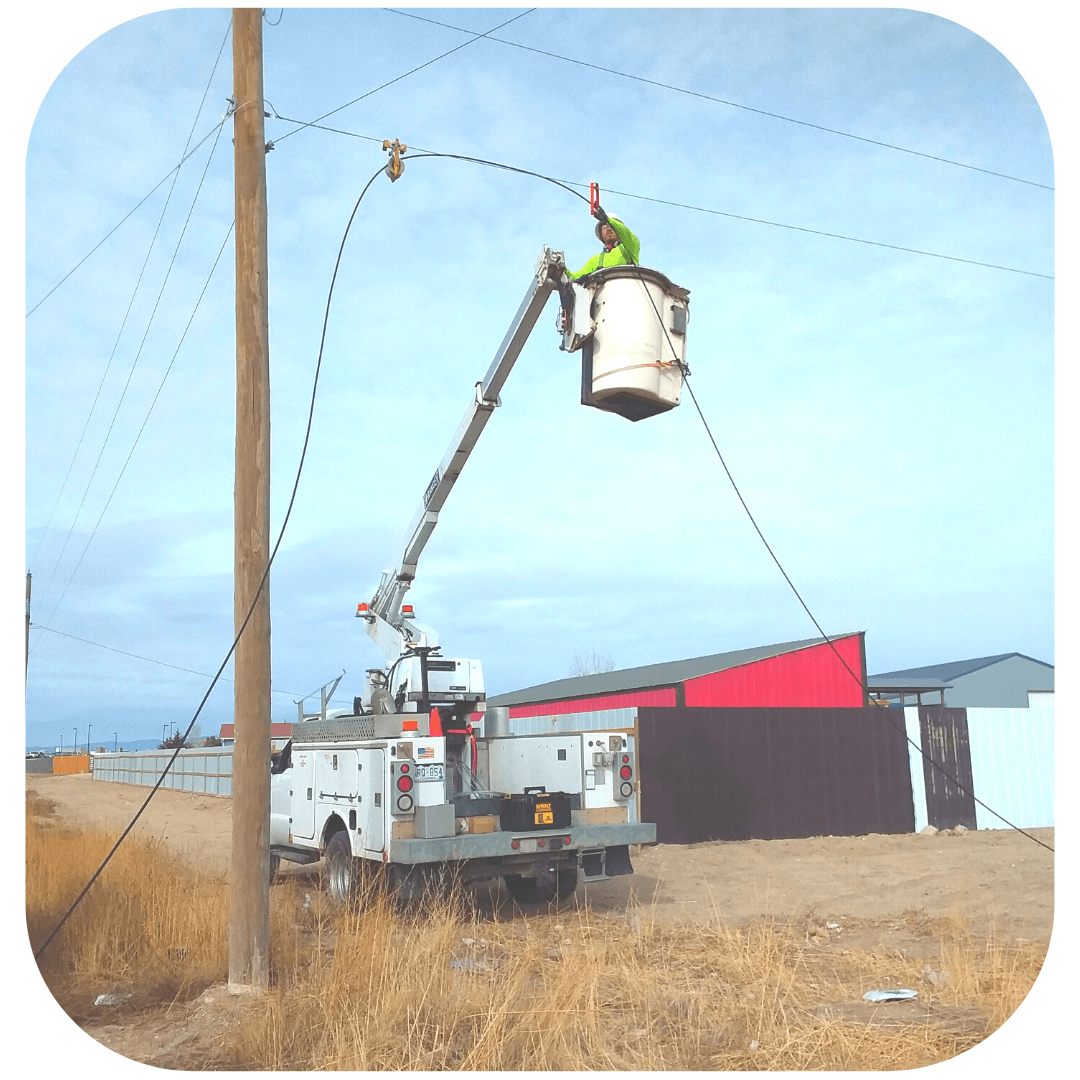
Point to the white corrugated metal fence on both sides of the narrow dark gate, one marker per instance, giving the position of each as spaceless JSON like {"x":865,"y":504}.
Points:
{"x":1011,"y":763}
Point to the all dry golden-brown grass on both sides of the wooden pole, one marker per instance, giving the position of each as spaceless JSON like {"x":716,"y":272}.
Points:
{"x":440,"y":988}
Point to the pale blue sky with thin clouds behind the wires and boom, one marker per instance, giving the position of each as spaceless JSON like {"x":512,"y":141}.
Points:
{"x":887,"y":415}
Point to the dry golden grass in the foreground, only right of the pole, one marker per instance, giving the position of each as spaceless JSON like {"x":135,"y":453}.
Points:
{"x":559,"y":991}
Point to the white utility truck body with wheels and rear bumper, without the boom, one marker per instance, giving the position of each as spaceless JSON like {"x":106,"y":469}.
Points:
{"x":344,"y":776}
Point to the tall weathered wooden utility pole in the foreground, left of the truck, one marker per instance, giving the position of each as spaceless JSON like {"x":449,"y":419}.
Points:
{"x":250,"y":882}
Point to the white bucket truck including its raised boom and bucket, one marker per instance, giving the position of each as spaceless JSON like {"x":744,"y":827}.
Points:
{"x":421,"y":776}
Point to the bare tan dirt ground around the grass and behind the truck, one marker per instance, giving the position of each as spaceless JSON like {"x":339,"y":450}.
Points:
{"x":857,"y":893}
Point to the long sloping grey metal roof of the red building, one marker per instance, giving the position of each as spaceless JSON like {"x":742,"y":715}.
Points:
{"x":651,"y":676}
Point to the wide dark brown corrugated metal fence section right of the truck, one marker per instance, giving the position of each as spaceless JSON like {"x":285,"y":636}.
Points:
{"x":773,"y":774}
